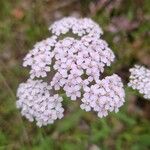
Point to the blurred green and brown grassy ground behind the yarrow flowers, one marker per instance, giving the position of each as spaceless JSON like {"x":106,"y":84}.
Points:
{"x":126,"y":25}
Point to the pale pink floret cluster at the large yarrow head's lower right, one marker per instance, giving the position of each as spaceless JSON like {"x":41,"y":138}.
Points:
{"x":105,"y":96}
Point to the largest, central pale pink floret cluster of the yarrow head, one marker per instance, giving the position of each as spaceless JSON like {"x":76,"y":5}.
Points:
{"x":76,"y":59}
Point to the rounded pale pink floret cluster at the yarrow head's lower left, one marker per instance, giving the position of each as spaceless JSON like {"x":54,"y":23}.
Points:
{"x":36,"y":102}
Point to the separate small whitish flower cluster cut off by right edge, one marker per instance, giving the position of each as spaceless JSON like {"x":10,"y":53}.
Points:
{"x":140,"y":80}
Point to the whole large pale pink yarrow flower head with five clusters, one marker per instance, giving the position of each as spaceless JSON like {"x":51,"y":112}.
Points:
{"x":73,"y":64}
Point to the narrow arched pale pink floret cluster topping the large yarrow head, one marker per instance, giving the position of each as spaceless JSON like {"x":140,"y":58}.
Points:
{"x":80,"y":27}
